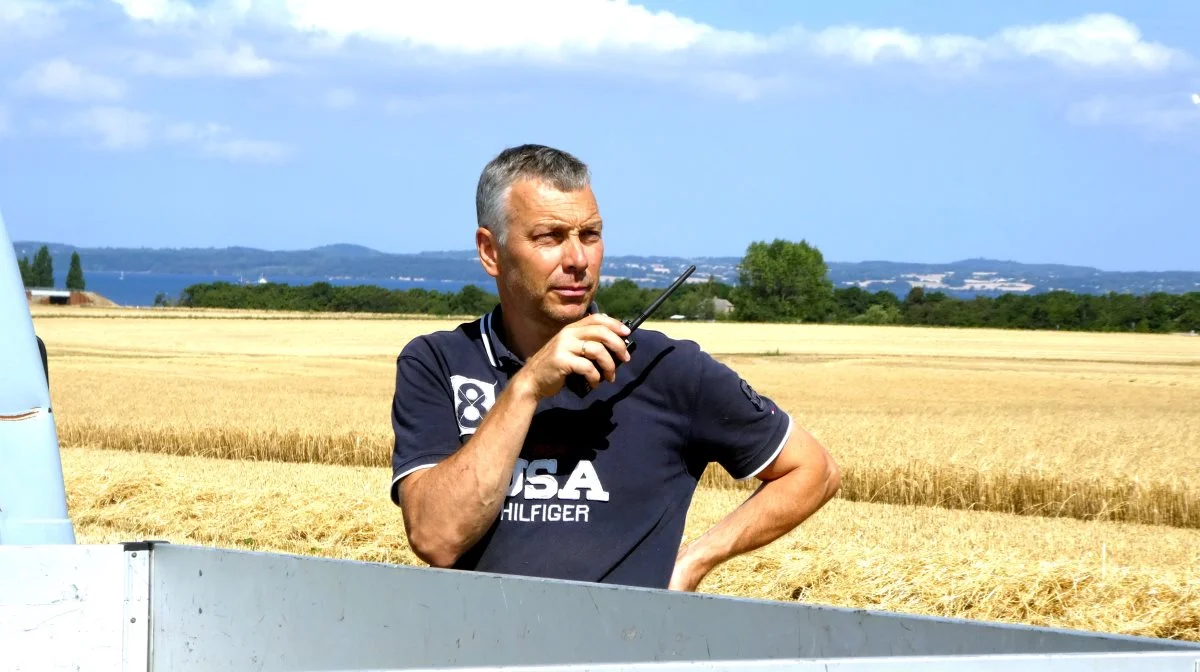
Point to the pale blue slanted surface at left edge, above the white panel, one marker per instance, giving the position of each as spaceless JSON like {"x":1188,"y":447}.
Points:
{"x":33,"y":496}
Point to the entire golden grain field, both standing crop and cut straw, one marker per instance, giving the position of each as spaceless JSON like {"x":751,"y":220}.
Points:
{"x":1097,"y":430}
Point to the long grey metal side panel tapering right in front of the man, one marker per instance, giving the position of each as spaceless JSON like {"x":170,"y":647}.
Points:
{"x":219,"y":609}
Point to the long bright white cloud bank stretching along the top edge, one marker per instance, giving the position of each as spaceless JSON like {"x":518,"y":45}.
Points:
{"x":559,"y":29}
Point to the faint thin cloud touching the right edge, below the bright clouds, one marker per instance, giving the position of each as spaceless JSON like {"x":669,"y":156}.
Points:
{"x":1156,"y":116}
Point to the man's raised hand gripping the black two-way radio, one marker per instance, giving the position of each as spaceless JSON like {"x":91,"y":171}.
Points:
{"x":595,"y":339}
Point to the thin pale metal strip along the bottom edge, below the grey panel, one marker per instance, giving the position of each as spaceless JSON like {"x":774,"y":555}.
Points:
{"x":1051,"y":663}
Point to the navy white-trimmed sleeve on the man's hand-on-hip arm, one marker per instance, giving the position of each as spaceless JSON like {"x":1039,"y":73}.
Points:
{"x":733,"y":424}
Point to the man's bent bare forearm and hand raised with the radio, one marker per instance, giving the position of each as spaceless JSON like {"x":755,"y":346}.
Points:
{"x":449,"y":507}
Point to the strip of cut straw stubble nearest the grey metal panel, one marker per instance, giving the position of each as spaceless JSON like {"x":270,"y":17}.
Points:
{"x":1114,"y":578}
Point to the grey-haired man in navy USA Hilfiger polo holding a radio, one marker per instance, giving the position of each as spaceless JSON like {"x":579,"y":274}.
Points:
{"x":497,"y":467}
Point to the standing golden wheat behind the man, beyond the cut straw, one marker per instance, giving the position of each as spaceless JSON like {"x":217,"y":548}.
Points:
{"x":1100,"y":427}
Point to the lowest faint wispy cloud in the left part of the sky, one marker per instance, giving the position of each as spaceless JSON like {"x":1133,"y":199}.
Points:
{"x":122,"y":129}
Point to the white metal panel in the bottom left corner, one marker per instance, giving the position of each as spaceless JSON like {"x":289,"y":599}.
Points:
{"x":62,"y":608}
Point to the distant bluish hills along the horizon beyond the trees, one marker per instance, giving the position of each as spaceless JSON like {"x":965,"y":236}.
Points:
{"x":965,"y":278}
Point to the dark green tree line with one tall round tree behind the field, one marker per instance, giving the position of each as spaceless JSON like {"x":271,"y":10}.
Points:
{"x":779,"y":281}
